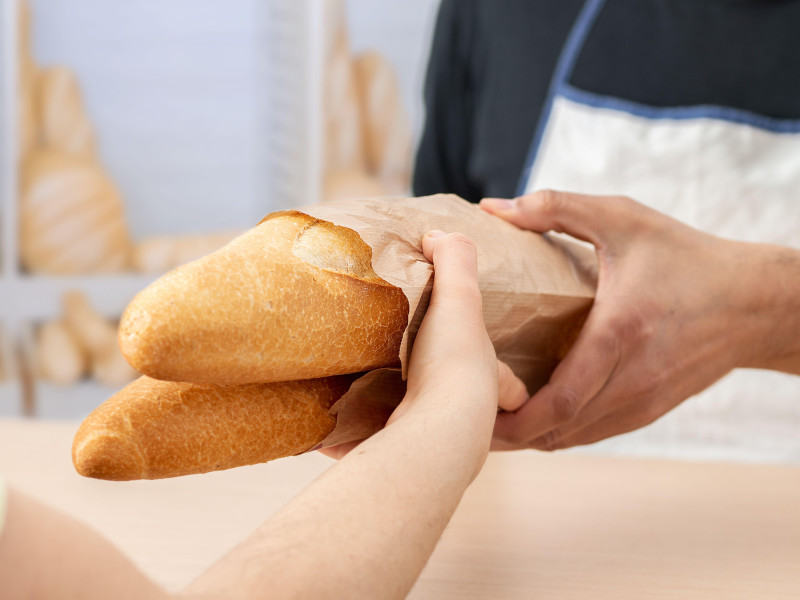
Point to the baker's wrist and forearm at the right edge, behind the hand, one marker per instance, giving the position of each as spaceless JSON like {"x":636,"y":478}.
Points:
{"x":776,"y":284}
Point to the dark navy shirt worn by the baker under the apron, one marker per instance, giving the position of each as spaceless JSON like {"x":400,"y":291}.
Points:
{"x":492,"y":61}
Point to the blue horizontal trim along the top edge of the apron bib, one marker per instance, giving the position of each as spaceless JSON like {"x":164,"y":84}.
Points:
{"x":701,"y":111}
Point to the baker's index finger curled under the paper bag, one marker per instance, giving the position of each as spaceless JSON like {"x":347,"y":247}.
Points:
{"x":578,"y":379}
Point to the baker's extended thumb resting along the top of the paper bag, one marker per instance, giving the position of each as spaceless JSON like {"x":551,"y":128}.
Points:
{"x":590,"y":218}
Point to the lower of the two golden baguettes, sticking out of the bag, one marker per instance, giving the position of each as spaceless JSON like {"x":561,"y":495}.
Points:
{"x":155,"y":429}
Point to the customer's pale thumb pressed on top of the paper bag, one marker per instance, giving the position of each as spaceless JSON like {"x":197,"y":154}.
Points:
{"x":455,"y":280}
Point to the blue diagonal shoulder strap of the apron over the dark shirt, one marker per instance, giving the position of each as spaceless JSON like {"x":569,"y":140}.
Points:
{"x":566,"y":62}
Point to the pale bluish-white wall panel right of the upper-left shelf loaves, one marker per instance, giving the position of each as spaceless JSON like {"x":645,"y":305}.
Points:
{"x":169,"y":86}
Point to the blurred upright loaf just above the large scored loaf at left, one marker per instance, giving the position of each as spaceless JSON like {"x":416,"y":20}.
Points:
{"x":64,"y":123}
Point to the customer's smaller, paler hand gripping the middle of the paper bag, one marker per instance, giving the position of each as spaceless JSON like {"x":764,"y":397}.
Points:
{"x":453,"y":364}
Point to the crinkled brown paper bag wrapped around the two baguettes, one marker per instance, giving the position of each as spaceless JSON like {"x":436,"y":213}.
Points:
{"x":537,"y":291}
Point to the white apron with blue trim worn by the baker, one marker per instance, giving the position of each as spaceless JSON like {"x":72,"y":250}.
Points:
{"x":725,"y":171}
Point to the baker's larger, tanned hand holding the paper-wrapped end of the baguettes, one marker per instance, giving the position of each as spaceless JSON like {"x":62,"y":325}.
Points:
{"x":676,"y":309}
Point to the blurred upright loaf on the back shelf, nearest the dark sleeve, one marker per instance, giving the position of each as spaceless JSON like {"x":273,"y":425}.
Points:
{"x":384,"y":122}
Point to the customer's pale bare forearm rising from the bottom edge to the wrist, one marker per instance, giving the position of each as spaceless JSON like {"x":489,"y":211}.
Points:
{"x":366,"y":528}
